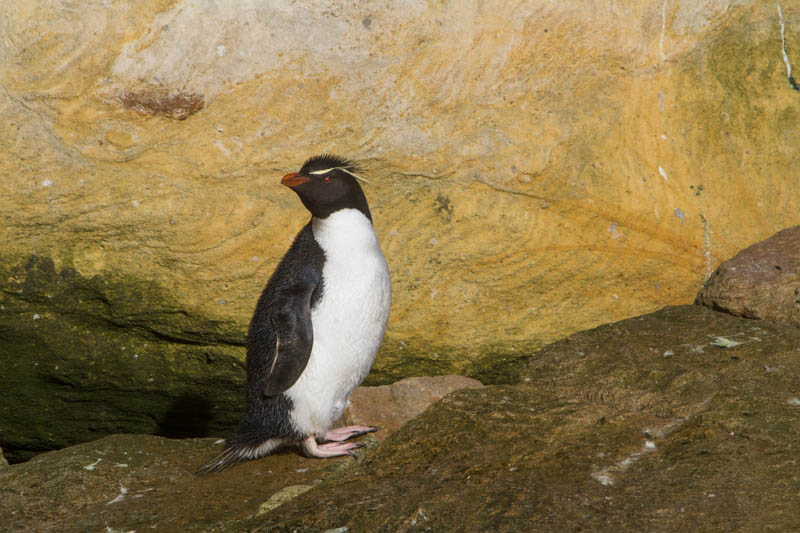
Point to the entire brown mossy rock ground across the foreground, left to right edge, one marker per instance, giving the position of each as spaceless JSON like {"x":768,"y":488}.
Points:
{"x":681,"y":420}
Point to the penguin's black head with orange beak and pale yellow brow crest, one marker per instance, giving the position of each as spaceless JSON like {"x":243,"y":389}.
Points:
{"x":326,"y":184}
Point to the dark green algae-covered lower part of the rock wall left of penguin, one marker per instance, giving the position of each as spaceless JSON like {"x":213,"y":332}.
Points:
{"x":87,"y":357}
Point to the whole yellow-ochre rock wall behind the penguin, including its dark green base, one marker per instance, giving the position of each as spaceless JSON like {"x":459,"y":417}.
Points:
{"x":536,"y":168}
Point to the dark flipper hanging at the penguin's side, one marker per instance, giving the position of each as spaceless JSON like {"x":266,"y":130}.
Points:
{"x":291,"y":320}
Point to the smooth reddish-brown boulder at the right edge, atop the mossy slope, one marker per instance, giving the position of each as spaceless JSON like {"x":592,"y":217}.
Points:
{"x":761,"y":281}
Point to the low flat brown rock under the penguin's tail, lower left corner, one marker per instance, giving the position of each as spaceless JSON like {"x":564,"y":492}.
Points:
{"x":144,"y":483}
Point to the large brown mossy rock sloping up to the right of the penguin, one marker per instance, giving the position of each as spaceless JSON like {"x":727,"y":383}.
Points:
{"x":657,"y":423}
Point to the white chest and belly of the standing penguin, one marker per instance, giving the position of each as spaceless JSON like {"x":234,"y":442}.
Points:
{"x":348,"y":321}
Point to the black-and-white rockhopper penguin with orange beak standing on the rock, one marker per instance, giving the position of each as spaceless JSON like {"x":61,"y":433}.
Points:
{"x":317,"y":325}
